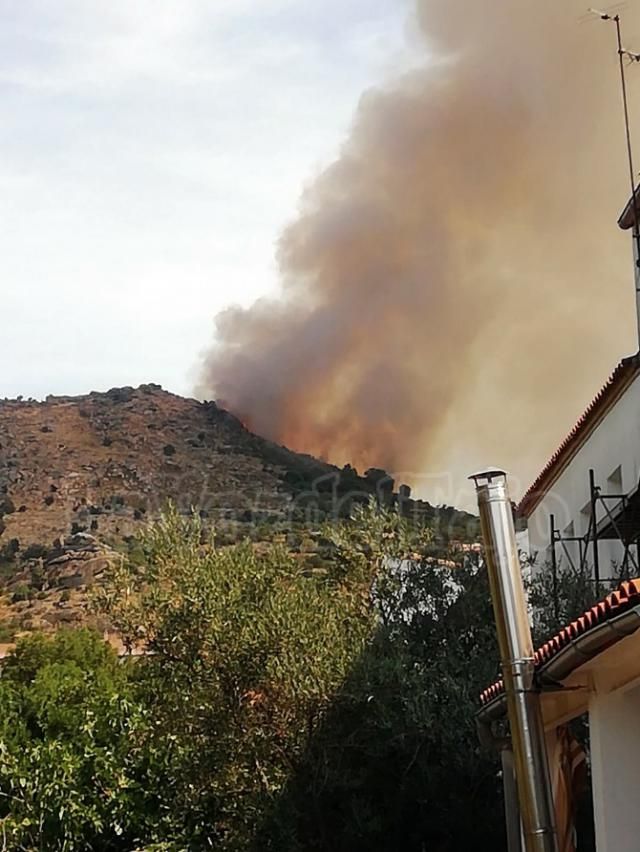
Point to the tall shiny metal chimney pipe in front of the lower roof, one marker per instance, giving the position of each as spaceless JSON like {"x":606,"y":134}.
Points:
{"x":516,"y":653}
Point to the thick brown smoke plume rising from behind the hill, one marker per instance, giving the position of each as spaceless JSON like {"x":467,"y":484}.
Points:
{"x":454,"y":287}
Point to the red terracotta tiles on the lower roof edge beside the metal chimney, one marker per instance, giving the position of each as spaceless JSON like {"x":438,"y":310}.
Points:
{"x":624,"y":597}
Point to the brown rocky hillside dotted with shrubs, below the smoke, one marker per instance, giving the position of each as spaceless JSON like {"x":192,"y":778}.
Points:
{"x":79,"y":476}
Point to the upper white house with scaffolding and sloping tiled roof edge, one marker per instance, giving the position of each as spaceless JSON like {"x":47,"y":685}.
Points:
{"x":584,"y":507}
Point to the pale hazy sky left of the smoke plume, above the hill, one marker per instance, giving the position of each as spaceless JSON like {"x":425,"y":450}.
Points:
{"x":150,"y":153}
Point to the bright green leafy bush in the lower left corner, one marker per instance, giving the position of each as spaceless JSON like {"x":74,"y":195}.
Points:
{"x":67,"y":733}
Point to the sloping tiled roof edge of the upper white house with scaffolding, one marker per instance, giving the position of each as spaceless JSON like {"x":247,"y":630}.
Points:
{"x":623,"y":373}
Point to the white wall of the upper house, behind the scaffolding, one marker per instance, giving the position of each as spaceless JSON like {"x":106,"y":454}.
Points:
{"x":613,"y":444}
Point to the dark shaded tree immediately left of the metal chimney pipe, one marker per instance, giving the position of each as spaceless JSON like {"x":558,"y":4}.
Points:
{"x":397,"y":762}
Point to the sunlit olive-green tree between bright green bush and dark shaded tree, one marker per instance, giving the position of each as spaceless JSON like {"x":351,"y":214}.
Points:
{"x":246,"y":650}
